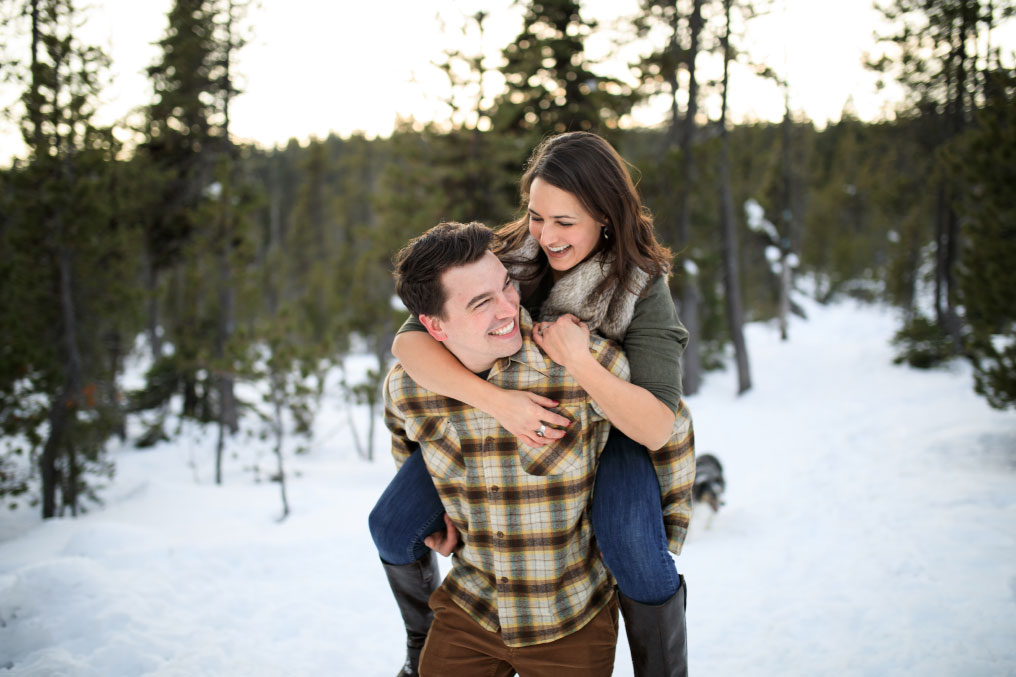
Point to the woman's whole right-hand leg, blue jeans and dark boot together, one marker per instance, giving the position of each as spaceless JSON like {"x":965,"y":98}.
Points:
{"x":628,"y":522}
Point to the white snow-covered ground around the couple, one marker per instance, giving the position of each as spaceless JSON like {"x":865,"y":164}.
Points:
{"x":870,"y":529}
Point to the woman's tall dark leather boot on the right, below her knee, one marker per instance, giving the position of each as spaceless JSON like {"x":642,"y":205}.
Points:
{"x":658,"y":636}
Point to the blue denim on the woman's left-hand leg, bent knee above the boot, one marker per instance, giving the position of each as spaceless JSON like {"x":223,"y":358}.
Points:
{"x":409,"y":511}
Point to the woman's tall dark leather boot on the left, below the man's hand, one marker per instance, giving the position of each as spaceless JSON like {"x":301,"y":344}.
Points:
{"x":412,"y":585}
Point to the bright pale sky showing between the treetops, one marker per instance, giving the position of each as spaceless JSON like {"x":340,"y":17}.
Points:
{"x":314,"y":68}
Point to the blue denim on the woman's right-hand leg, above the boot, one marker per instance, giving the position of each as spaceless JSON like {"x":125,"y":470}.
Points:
{"x":628,"y":522}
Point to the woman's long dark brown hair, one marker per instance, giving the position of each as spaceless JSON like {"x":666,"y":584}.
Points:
{"x":589,"y":168}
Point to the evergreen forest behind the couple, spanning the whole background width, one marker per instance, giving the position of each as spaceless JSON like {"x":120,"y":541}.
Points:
{"x":243,"y":276}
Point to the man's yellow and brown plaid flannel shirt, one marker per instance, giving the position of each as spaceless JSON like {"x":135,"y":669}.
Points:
{"x":529,"y":566}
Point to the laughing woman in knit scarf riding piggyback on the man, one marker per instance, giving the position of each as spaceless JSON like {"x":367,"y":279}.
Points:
{"x":585,"y":256}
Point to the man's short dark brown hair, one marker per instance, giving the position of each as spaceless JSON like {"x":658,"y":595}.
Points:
{"x":420,"y":265}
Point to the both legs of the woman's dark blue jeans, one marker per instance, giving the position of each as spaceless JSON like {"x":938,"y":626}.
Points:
{"x":627,"y":520}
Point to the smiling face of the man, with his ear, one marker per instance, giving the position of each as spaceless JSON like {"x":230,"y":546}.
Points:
{"x":481,"y":315}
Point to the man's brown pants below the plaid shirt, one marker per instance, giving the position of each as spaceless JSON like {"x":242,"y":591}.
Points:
{"x":459,"y":646}
